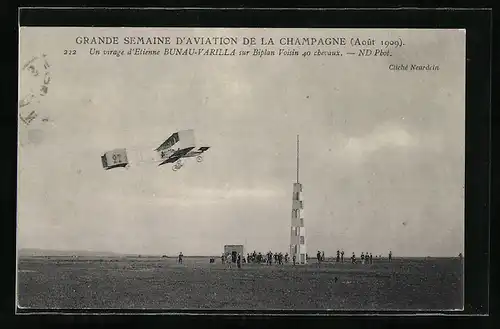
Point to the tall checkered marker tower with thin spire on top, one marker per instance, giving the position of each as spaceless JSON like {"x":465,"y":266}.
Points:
{"x":298,"y":232}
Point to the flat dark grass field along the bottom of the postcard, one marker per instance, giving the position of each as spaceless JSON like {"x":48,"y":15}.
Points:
{"x":161,"y":283}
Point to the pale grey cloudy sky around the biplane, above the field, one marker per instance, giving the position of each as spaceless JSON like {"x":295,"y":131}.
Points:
{"x":382,"y":152}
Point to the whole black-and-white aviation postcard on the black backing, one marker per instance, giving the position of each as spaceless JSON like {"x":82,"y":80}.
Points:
{"x":241,"y":169}
